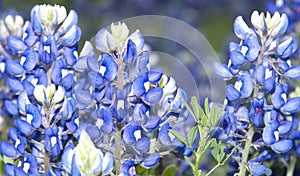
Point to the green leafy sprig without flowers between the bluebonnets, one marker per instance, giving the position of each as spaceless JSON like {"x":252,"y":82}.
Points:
{"x":206,"y":120}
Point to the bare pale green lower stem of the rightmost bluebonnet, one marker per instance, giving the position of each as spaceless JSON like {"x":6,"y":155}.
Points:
{"x":246,"y":151}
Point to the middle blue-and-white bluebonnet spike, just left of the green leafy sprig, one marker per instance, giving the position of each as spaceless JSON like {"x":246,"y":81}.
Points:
{"x":128,"y":107}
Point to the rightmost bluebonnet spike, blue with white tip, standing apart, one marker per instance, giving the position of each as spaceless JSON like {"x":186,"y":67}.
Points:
{"x":258,"y":105}
